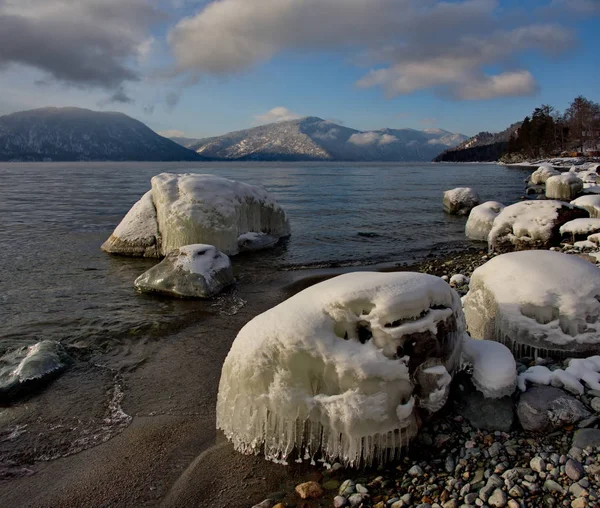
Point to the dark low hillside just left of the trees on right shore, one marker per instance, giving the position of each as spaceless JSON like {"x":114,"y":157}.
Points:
{"x":483,"y":147}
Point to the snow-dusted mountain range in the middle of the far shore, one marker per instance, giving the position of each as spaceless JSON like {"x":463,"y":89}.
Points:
{"x":313,"y":138}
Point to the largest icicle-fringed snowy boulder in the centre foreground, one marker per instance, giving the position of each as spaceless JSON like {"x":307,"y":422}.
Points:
{"x":342,"y":367}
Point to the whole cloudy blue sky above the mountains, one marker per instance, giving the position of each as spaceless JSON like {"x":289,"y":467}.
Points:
{"x":198,"y":68}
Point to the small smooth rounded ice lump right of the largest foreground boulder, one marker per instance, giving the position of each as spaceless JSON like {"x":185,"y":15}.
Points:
{"x":494,"y":367}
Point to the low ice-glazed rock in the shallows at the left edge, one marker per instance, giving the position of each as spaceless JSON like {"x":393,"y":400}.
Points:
{"x":34,"y":363}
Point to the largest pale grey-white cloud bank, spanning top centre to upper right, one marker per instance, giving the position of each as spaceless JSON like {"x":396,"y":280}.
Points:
{"x":414,"y":44}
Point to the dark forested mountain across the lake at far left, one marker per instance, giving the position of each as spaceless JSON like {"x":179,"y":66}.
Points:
{"x":73,"y":134}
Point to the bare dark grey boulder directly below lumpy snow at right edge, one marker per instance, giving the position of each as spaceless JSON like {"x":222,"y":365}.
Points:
{"x":546,"y":408}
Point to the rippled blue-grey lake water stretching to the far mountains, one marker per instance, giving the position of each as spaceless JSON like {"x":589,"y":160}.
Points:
{"x":55,"y":283}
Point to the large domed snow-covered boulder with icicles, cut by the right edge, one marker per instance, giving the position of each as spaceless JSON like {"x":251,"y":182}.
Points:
{"x":540,"y":302}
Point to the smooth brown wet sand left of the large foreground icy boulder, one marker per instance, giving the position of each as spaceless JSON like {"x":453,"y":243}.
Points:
{"x":170,"y":453}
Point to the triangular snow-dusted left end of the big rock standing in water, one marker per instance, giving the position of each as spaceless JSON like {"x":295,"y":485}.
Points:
{"x":137,"y":234}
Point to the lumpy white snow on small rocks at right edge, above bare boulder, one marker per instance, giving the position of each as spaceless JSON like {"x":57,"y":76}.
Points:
{"x":578,"y":371}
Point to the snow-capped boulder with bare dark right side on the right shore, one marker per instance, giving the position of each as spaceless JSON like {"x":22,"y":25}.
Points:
{"x":531,"y":225}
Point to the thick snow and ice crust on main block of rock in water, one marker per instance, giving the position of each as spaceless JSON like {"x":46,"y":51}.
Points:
{"x":196,"y":208}
